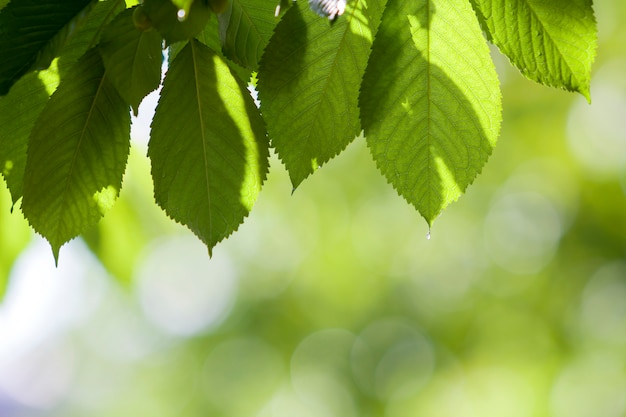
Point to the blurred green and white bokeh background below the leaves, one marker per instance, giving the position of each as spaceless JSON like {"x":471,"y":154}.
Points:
{"x":332,"y":301}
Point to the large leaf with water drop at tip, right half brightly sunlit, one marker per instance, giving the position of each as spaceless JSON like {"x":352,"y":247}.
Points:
{"x":430,"y":101}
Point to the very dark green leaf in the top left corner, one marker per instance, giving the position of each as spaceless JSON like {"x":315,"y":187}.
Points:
{"x":28,"y":28}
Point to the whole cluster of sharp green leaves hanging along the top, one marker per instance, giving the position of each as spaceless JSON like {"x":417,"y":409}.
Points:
{"x":416,"y":76}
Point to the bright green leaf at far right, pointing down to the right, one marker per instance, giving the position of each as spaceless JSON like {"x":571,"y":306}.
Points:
{"x":552,"y":42}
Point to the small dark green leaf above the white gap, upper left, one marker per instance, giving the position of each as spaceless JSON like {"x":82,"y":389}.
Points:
{"x":132,"y":58}
